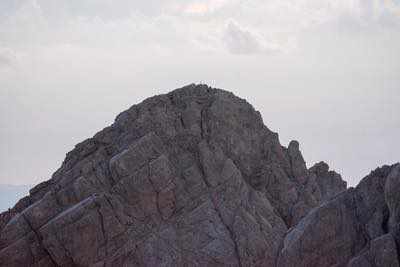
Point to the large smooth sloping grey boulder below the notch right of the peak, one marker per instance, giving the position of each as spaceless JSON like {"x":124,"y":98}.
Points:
{"x":327,"y":236}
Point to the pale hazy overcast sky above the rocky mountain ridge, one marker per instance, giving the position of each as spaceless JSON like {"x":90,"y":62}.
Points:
{"x":326,"y":73}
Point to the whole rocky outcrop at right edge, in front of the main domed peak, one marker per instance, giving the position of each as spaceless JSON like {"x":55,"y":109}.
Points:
{"x":352,"y":228}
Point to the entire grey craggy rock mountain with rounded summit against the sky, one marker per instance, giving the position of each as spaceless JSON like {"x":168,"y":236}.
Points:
{"x":195,"y":178}
